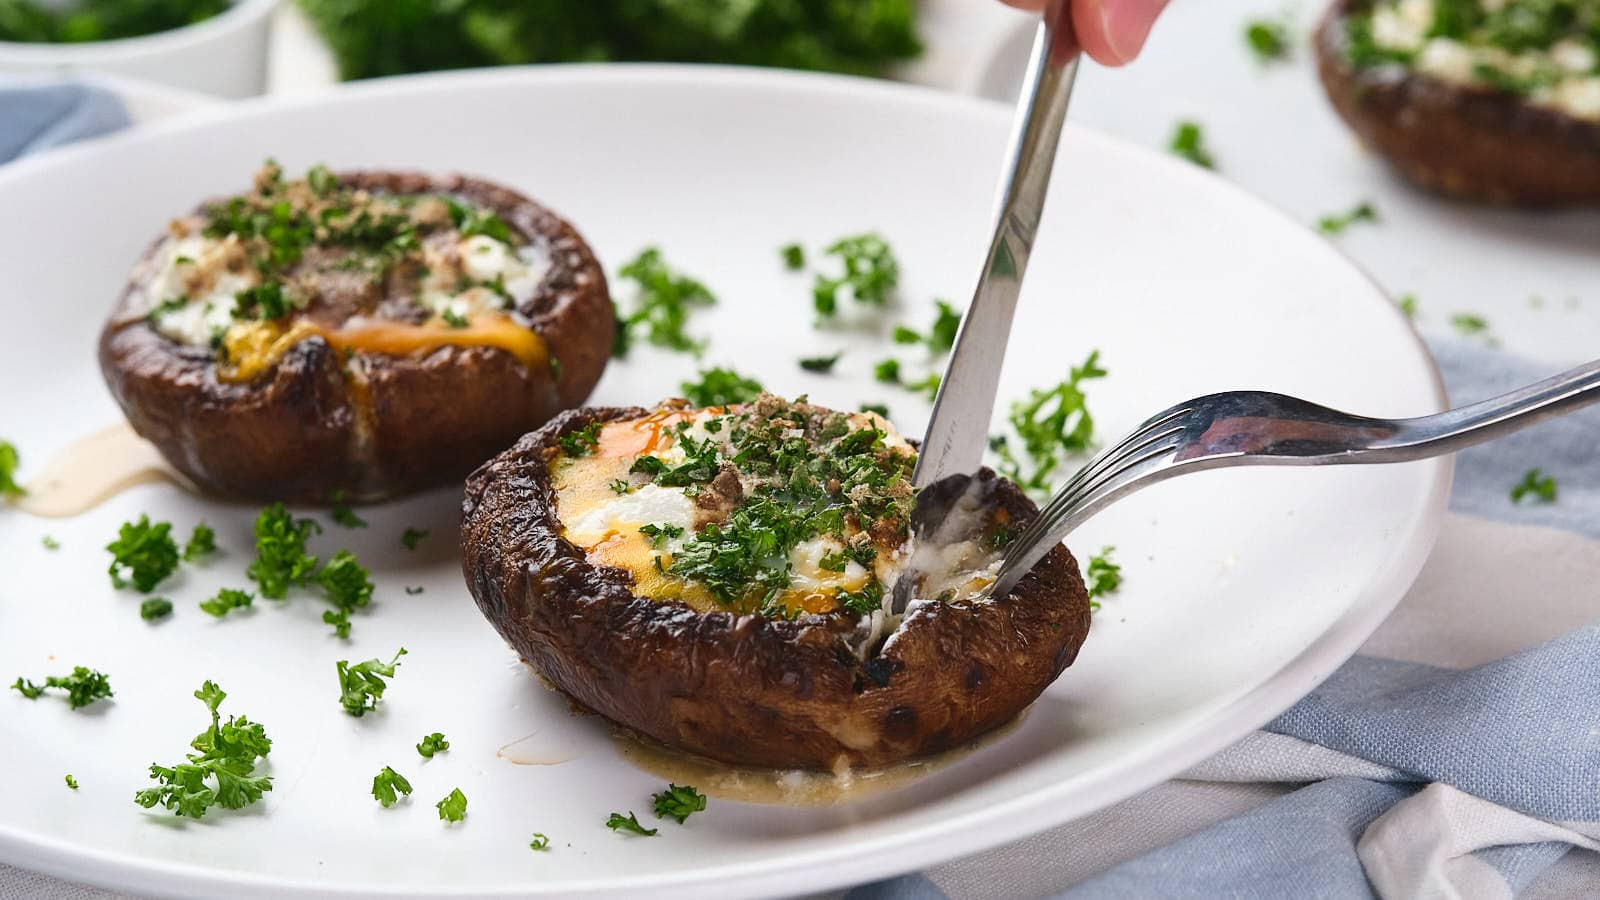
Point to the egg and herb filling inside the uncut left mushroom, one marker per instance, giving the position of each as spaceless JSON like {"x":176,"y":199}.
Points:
{"x":366,"y":271}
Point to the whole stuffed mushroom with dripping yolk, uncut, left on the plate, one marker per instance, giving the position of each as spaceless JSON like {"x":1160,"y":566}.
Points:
{"x":354,"y":335}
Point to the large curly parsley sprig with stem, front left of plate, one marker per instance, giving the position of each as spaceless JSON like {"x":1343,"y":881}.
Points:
{"x":220,"y":773}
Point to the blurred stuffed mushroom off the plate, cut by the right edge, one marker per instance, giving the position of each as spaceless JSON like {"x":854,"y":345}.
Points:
{"x":1487,"y":100}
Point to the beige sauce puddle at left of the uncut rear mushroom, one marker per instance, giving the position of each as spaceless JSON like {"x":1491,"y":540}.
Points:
{"x":94,"y":470}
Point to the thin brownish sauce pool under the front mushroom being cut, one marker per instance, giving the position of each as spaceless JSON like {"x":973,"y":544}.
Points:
{"x":790,"y":787}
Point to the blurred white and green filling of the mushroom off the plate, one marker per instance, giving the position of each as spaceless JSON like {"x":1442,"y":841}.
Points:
{"x":1546,"y":52}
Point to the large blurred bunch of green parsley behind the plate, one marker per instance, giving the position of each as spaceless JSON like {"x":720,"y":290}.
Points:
{"x":391,"y":38}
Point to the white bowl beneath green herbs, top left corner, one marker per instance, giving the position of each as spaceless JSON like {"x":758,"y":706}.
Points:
{"x":225,"y":55}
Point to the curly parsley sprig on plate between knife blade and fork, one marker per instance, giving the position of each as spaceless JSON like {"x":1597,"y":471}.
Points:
{"x":1052,"y":425}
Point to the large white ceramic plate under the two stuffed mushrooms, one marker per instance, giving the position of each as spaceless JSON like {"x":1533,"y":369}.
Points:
{"x":1242,"y":589}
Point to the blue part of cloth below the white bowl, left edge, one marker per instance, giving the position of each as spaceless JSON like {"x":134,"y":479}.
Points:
{"x":38,"y":116}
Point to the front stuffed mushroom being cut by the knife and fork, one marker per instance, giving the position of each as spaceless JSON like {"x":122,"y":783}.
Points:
{"x":746,"y":584}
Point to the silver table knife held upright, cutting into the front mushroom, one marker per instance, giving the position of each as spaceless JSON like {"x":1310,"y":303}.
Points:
{"x":959,"y":430}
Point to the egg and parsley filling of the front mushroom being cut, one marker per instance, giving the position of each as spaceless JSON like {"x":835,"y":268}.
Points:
{"x":777,"y":508}
